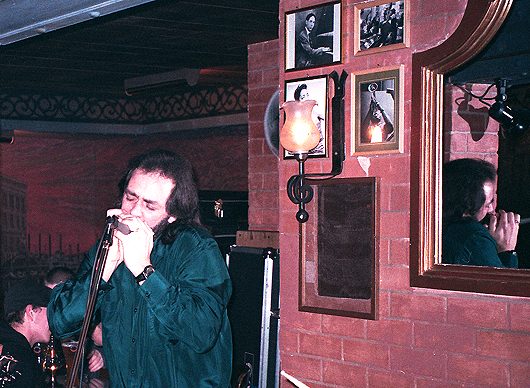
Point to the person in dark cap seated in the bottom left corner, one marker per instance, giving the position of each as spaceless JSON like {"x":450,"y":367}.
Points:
{"x":25,"y":324}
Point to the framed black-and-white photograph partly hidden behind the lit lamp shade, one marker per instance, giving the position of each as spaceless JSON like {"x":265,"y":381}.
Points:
{"x":315,"y":88}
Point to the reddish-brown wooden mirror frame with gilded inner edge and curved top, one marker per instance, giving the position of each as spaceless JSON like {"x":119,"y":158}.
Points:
{"x":479,"y":24}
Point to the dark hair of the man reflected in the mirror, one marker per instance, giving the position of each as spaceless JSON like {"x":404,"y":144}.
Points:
{"x":463,"y":188}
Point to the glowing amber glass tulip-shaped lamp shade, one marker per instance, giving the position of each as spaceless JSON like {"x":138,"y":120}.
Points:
{"x":299,"y":134}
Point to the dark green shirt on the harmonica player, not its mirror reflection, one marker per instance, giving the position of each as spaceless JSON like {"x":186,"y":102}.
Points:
{"x":173,"y":330}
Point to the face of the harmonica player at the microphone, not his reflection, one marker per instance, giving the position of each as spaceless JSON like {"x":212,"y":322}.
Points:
{"x":146,"y":196}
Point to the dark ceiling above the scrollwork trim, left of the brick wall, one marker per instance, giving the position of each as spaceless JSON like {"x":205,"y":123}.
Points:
{"x":95,"y":57}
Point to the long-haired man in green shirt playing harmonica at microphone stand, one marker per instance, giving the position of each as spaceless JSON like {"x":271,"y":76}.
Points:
{"x":165,"y":286}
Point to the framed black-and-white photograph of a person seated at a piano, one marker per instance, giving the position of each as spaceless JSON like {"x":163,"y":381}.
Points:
{"x":313,"y":36}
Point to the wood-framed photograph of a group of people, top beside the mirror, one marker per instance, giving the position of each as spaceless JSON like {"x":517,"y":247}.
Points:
{"x":381,"y":25}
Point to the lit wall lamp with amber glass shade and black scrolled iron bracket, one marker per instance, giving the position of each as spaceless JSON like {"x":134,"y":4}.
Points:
{"x":299,"y":135}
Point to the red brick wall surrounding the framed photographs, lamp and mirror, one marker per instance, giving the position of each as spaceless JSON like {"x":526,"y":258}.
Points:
{"x":423,"y":338}
